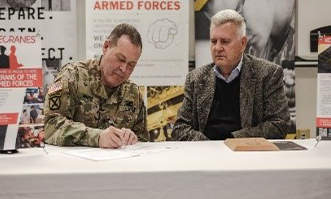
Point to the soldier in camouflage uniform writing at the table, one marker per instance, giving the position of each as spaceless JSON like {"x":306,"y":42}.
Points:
{"x":92,"y":102}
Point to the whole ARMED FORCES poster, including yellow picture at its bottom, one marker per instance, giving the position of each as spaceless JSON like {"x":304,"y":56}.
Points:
{"x":163,"y":65}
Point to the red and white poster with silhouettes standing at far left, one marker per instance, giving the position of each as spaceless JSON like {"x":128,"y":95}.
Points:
{"x":21,"y":91}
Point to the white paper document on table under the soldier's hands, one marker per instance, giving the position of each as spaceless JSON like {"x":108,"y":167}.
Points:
{"x":98,"y":154}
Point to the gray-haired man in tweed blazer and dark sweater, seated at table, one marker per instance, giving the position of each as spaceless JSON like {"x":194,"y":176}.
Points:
{"x":237,"y":95}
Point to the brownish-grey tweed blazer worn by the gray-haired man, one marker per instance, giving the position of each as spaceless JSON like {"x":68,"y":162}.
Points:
{"x":263,"y":105}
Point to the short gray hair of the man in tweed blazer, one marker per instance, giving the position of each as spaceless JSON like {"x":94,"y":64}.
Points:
{"x":229,"y":15}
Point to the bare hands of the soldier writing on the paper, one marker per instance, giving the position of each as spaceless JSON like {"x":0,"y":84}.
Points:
{"x":116,"y":138}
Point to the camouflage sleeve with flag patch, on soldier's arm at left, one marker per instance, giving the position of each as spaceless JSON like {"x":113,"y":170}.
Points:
{"x":59,"y":108}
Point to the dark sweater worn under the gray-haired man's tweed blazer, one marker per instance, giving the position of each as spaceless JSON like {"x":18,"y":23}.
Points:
{"x":224,"y":116}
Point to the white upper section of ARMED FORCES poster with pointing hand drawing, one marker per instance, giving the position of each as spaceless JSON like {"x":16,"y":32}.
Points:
{"x":163,"y":26}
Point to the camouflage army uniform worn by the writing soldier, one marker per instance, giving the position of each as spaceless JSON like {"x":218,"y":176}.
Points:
{"x":78,"y":107}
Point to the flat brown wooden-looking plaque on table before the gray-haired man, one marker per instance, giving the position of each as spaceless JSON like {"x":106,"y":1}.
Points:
{"x":250,"y":144}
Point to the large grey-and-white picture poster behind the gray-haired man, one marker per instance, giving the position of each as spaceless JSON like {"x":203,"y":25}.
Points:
{"x":270,"y":28}
